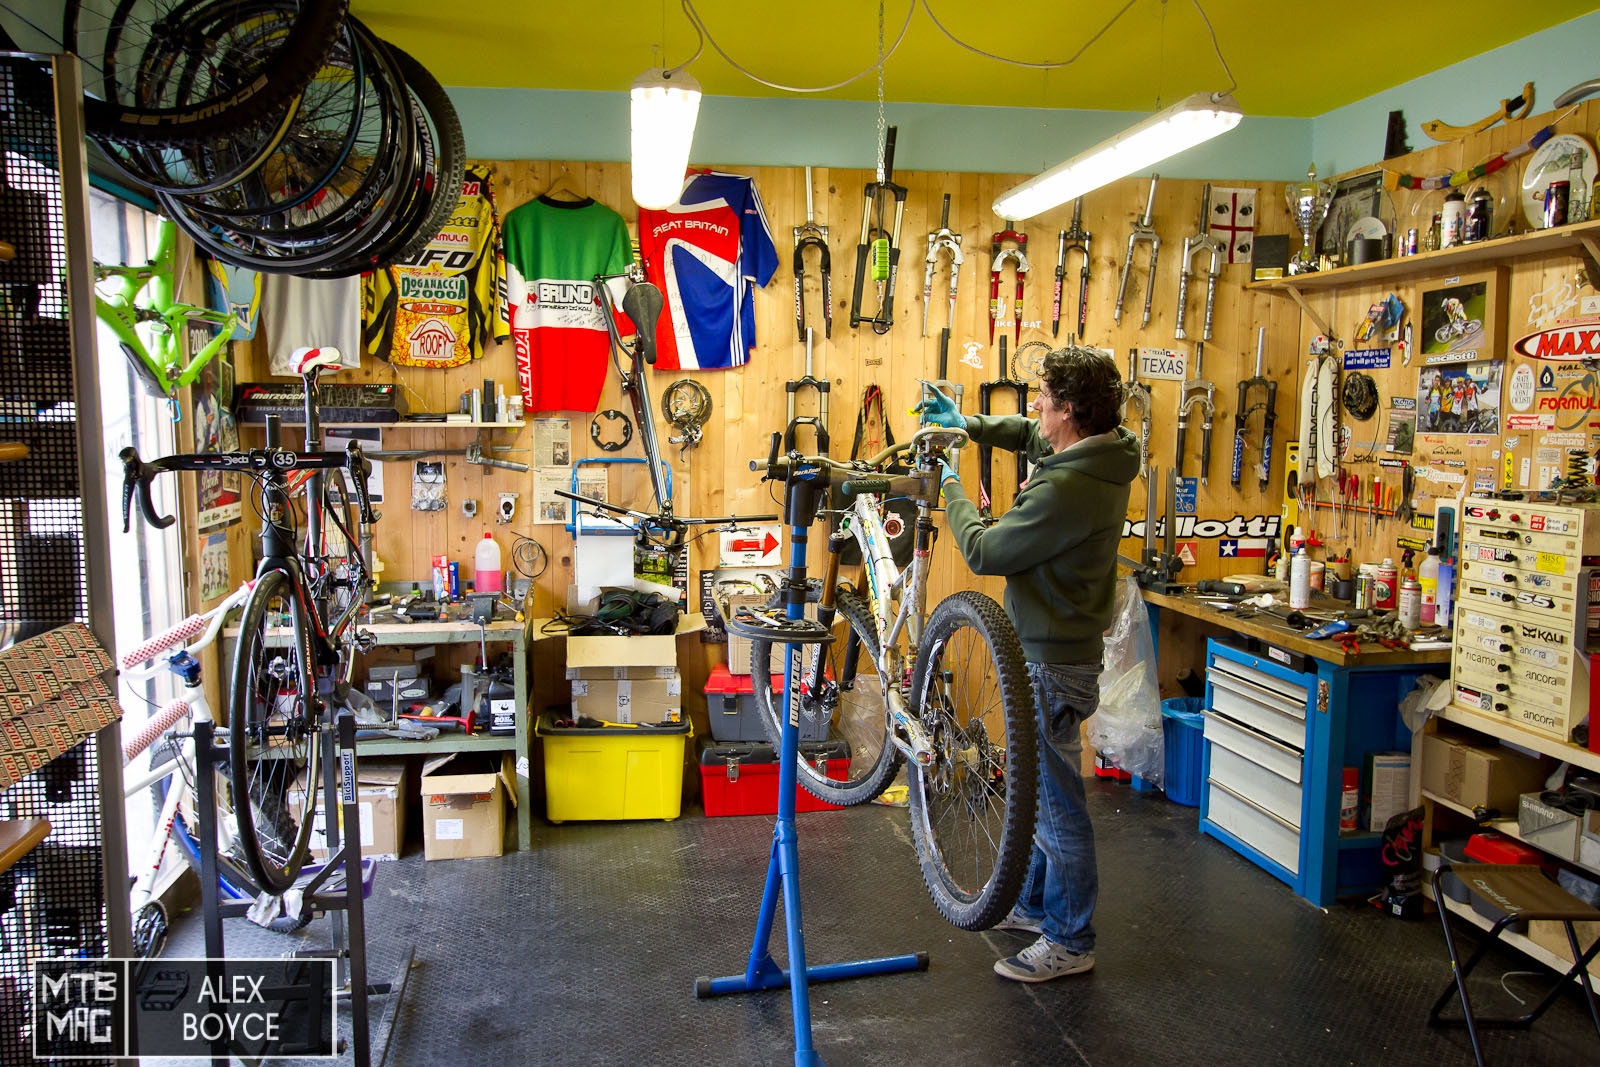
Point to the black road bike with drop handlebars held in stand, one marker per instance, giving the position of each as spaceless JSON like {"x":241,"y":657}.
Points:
{"x":297,"y":629}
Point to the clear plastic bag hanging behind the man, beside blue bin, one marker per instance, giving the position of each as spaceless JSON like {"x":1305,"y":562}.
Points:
{"x":1127,"y":729}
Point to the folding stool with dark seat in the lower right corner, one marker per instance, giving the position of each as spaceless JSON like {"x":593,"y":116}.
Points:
{"x":1511,"y":895}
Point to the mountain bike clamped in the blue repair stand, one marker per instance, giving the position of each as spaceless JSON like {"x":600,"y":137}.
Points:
{"x":946,"y":693}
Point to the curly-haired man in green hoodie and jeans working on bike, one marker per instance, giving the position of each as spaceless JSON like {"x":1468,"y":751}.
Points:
{"x":1058,"y":551}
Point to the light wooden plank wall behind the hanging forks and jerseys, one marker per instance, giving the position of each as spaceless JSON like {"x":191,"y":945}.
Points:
{"x":750,"y":404}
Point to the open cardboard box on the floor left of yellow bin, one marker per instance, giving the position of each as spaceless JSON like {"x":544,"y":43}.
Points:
{"x":465,"y":805}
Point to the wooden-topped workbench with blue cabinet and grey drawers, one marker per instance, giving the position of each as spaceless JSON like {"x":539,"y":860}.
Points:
{"x":1286,"y":716}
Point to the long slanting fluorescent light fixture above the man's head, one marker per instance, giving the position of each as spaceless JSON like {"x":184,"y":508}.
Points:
{"x":1186,"y":124}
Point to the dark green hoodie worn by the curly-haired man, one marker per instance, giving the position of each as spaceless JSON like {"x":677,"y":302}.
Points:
{"x":1058,"y":545}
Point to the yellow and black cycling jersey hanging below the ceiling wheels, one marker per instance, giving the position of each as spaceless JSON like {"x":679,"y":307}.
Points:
{"x":447,"y":303}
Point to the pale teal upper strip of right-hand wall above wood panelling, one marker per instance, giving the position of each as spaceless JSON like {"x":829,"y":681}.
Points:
{"x":1554,"y":60}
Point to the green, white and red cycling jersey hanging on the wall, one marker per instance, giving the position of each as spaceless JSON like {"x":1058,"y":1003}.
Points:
{"x":554,"y":249}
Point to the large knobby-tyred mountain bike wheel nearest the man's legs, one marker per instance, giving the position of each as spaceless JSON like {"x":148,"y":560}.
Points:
{"x":972,"y":810}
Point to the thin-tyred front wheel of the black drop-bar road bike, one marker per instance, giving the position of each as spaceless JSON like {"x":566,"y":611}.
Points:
{"x":274,"y":732}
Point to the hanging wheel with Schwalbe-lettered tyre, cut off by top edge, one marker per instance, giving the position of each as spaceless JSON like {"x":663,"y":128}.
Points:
{"x":239,"y":74}
